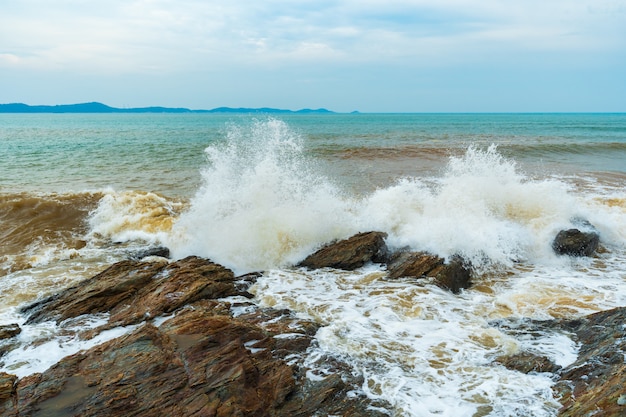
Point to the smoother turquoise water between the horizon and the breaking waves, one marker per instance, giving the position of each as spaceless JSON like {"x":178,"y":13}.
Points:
{"x":164,"y":152}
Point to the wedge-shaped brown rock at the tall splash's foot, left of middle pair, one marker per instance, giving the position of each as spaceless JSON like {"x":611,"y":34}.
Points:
{"x":350,"y":253}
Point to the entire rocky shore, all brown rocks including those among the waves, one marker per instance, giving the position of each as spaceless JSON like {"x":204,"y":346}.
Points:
{"x":200,"y":348}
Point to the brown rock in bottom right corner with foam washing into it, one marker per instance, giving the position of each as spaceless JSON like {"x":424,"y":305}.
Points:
{"x":594,"y":384}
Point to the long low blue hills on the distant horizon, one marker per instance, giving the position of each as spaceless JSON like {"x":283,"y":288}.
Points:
{"x":103,"y":108}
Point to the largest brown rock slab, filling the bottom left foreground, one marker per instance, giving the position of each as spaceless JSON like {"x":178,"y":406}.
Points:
{"x":196,"y":364}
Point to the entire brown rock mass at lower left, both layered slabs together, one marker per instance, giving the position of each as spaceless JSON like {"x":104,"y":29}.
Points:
{"x":202,"y":361}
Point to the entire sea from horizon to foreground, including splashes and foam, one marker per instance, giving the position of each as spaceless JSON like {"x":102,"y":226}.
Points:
{"x":259,"y":192}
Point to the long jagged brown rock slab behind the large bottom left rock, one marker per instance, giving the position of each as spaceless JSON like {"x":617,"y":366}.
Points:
{"x":132,"y":291}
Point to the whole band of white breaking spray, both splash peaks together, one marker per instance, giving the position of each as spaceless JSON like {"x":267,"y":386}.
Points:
{"x":265,"y":204}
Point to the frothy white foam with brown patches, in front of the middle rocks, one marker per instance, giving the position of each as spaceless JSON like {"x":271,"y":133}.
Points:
{"x":422,"y":349}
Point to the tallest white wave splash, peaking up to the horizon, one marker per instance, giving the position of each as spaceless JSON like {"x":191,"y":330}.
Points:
{"x":262,"y":203}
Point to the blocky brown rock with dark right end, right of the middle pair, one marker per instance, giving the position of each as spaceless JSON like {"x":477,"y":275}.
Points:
{"x":453,"y":275}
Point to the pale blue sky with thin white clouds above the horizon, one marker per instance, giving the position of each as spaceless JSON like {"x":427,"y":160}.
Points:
{"x":343,"y":55}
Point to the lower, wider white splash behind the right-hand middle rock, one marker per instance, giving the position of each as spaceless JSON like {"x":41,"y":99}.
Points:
{"x":481,"y":208}
